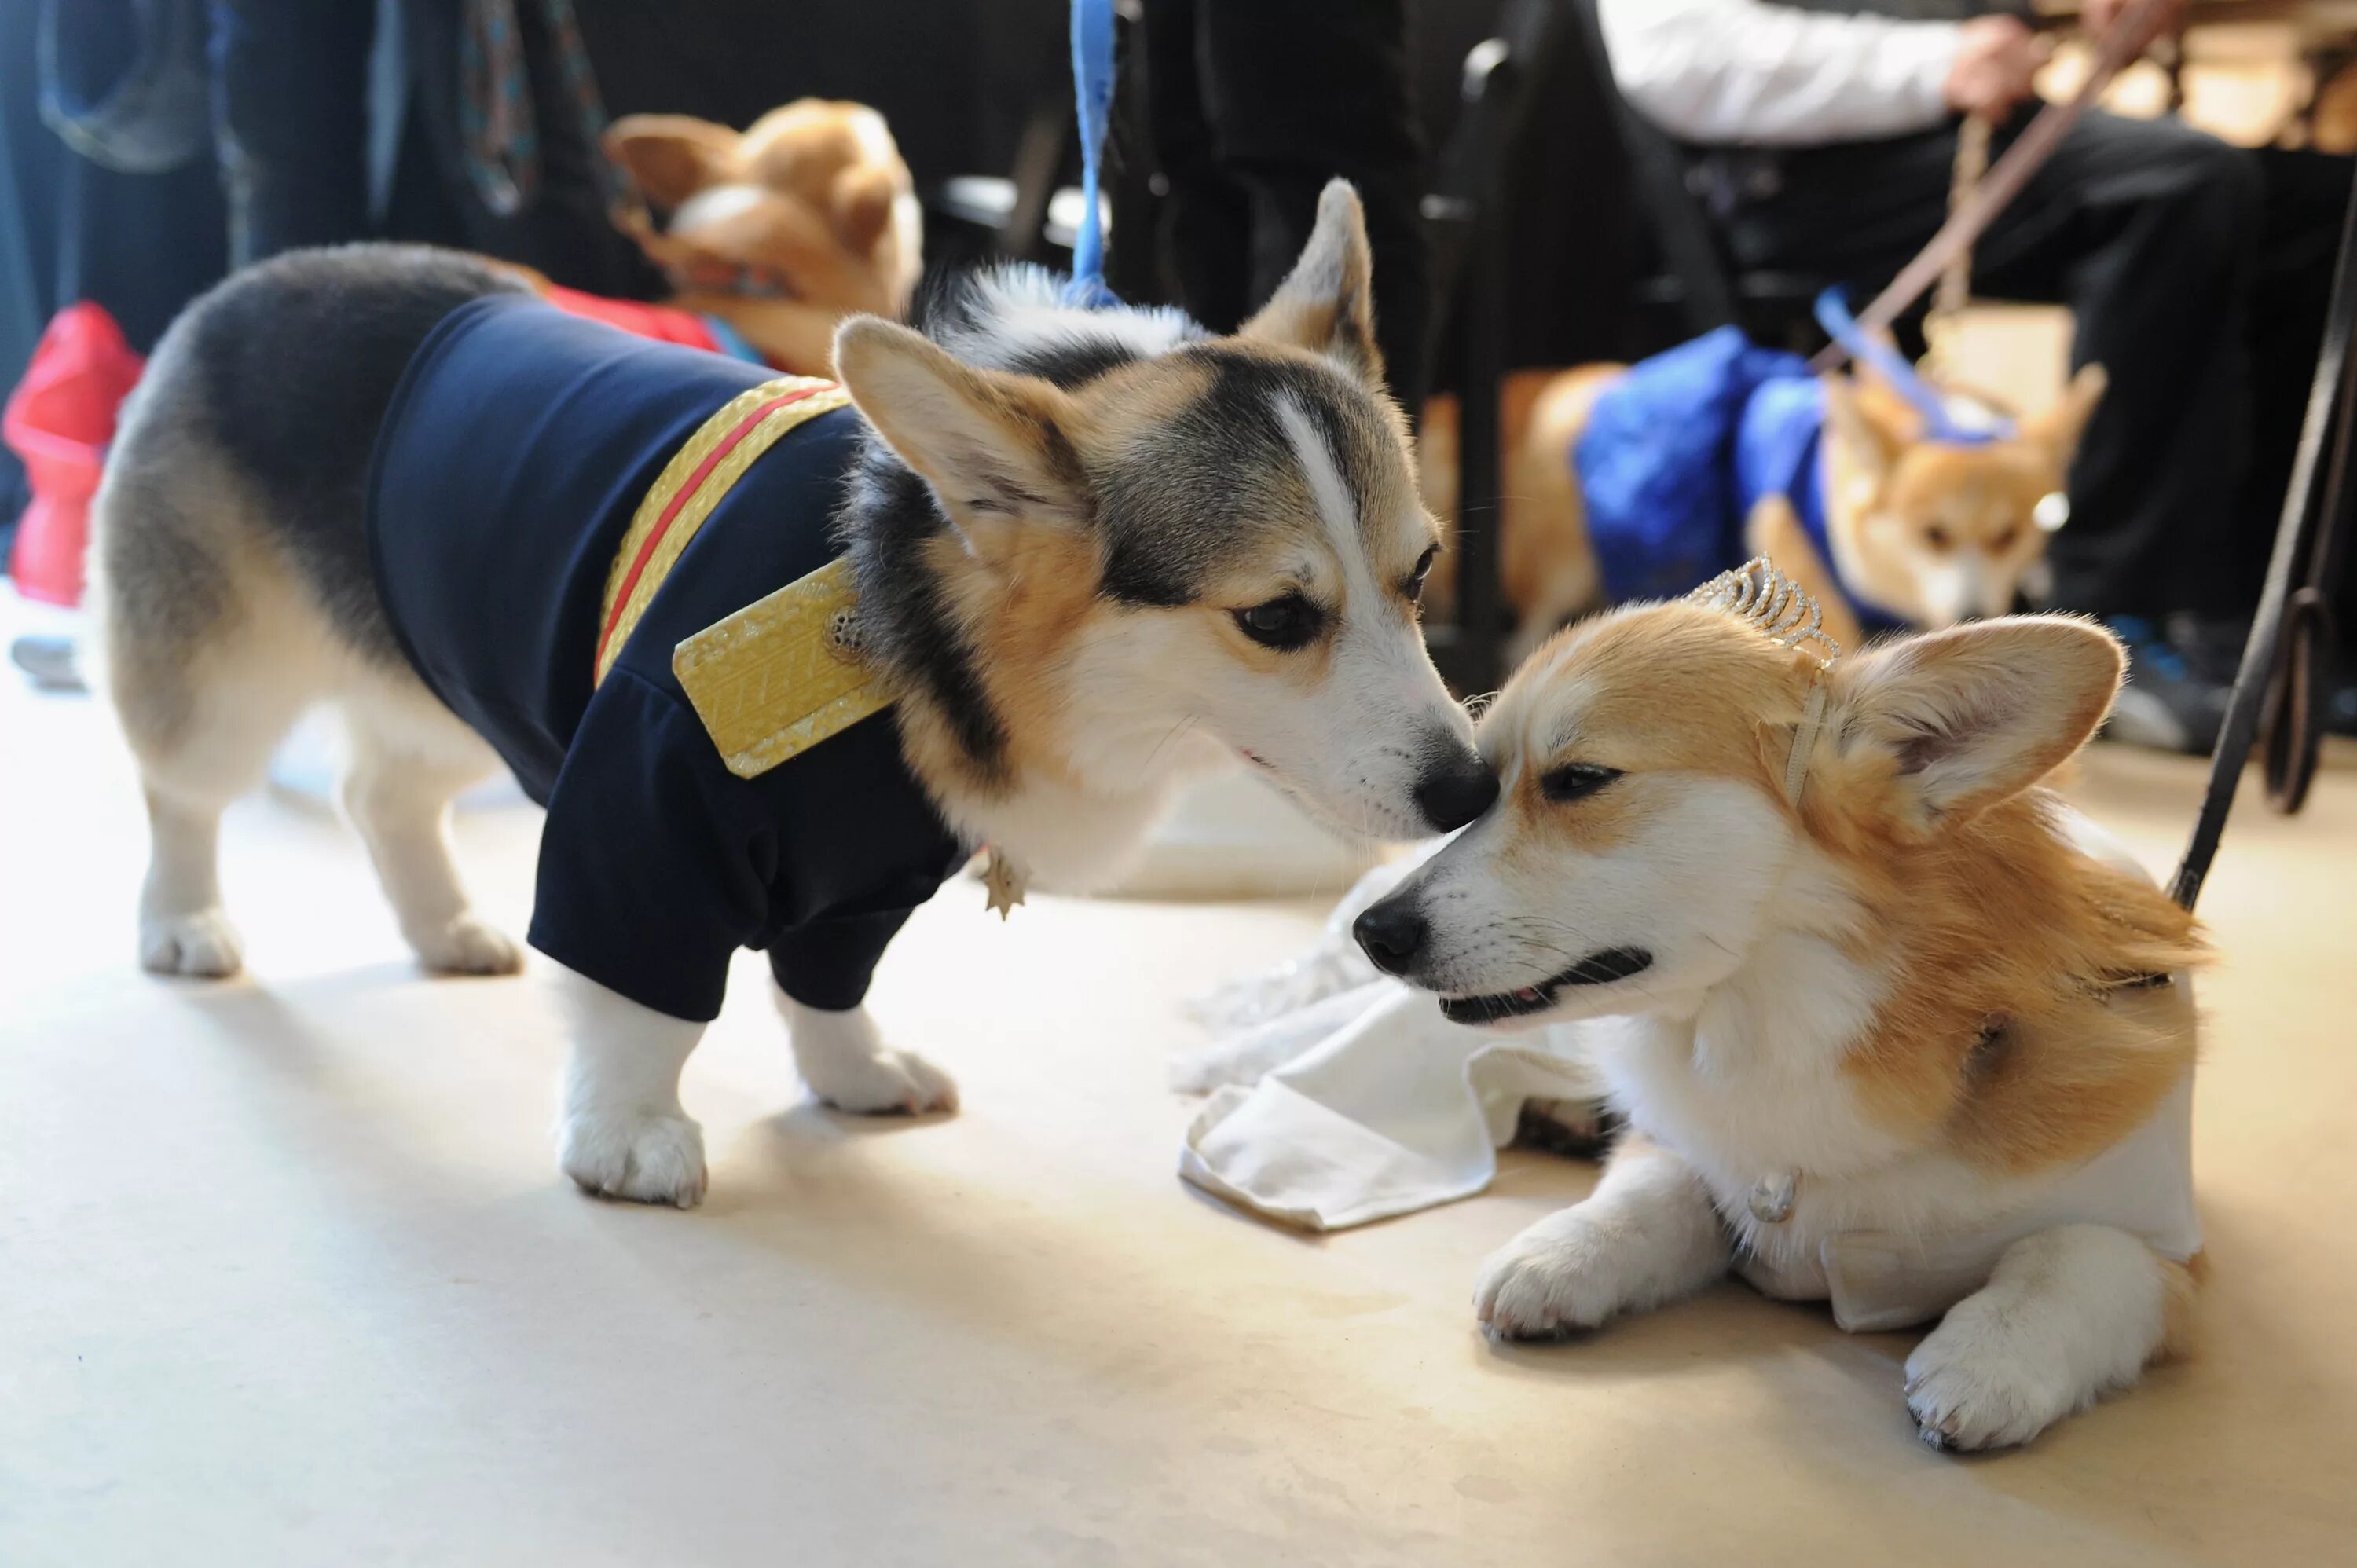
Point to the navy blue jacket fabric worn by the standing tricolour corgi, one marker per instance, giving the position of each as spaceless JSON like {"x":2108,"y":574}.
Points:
{"x":506,"y":480}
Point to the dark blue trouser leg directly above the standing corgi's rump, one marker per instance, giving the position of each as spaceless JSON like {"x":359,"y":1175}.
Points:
{"x":291,"y":121}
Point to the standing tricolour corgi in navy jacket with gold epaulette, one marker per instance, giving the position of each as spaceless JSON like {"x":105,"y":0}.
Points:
{"x":779,"y":657}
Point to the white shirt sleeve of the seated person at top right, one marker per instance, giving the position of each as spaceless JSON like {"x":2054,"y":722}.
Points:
{"x":1745,"y":72}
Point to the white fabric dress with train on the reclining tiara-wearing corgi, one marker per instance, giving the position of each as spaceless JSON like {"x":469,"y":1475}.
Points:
{"x":1342,"y":1098}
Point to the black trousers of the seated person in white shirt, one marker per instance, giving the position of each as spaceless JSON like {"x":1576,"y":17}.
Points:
{"x":2198,"y":279}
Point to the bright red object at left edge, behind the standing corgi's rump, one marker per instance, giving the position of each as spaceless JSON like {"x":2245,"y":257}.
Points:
{"x":60,"y":421}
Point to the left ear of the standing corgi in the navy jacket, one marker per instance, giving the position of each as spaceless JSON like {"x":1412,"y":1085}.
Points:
{"x":993,"y":447}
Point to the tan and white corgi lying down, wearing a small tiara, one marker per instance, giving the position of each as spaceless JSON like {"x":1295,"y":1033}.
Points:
{"x":1887,"y":1022}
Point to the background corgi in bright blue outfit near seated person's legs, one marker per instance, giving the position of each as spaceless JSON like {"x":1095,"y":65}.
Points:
{"x":1833,"y":477}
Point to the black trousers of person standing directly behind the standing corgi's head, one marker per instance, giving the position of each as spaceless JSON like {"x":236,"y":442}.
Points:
{"x":1253,"y":107}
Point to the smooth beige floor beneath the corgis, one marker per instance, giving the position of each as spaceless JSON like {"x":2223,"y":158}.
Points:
{"x":286,"y":1274}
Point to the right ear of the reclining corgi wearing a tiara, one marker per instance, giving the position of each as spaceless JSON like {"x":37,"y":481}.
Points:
{"x":1979,"y":713}
